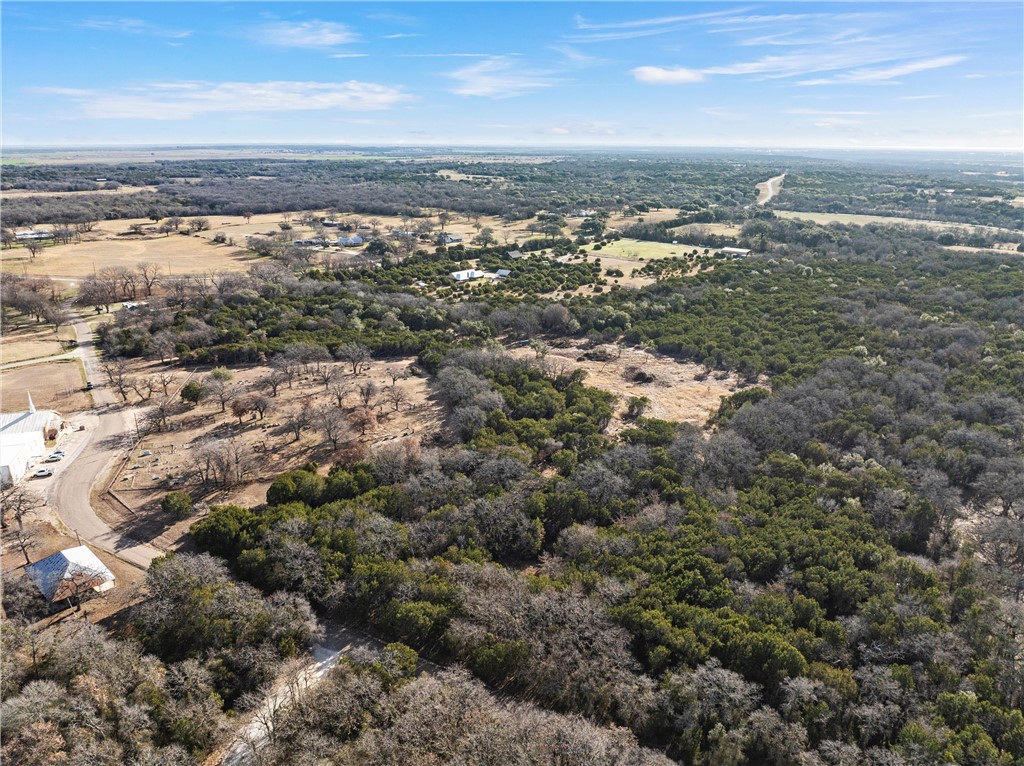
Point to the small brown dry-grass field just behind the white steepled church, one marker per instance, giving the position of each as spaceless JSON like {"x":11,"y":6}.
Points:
{"x":54,"y":386}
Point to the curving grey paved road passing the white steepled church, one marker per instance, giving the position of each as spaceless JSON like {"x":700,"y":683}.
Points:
{"x":92,"y":453}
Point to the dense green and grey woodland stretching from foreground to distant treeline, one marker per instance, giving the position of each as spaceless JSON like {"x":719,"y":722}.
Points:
{"x":830,"y":572}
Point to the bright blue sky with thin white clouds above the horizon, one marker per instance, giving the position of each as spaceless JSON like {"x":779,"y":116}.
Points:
{"x":720,"y":74}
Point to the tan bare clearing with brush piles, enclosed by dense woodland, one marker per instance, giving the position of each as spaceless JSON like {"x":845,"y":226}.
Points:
{"x":680,"y":392}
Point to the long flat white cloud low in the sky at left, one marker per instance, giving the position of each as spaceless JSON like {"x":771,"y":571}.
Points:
{"x":186,"y":100}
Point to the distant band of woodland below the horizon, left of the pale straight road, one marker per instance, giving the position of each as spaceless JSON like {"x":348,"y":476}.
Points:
{"x":381,"y":188}
